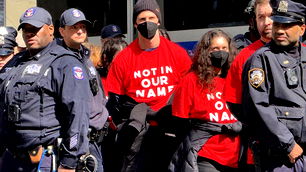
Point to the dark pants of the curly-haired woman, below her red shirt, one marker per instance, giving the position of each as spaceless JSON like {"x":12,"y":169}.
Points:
{"x":206,"y":165}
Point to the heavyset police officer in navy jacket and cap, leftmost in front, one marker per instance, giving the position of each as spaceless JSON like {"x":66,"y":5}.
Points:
{"x":44,"y":101}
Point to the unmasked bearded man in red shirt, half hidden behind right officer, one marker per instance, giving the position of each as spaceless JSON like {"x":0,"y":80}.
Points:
{"x":233,"y":84}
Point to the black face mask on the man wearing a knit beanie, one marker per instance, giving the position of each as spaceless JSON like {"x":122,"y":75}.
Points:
{"x":147,"y":29}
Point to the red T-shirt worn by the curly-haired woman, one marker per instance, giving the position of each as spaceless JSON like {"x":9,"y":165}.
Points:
{"x":191,"y":101}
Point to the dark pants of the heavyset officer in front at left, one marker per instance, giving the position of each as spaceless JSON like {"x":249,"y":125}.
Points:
{"x":11,"y":164}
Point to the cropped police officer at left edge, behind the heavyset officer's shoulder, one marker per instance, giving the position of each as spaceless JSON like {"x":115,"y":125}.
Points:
{"x":7,"y":44}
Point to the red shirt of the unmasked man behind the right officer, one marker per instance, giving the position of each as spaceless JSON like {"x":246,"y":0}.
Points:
{"x":233,"y":84}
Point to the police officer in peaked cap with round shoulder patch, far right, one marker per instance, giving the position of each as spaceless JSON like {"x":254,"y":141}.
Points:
{"x":274,"y":95}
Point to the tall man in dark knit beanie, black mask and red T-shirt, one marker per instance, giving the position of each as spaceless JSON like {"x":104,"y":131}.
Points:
{"x":147,"y":71}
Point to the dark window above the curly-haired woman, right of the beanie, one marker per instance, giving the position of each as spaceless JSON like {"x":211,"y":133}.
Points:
{"x":194,"y":14}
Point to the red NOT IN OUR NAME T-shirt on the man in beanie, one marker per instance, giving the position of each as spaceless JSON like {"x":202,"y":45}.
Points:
{"x":148,"y":76}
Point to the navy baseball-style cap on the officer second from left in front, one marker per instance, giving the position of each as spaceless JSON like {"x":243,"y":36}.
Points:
{"x":73,"y":16}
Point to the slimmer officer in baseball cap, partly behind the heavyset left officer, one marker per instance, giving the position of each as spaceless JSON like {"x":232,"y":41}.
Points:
{"x":73,"y":29}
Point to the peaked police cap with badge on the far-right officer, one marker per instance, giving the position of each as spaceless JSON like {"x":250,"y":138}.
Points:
{"x":287,"y":11}
